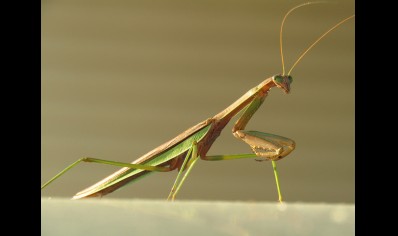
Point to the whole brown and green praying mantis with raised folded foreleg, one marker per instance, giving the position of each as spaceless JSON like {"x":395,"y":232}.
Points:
{"x":183,"y":151}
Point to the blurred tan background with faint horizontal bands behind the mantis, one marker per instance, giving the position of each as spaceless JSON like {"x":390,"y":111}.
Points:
{"x":120,"y":78}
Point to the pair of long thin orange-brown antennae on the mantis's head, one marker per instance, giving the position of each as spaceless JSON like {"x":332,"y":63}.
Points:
{"x":313,"y":44}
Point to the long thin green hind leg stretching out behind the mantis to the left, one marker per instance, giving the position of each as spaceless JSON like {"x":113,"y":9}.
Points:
{"x":114,"y":163}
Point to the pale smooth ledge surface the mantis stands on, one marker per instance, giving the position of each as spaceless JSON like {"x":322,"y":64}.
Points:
{"x":159,"y":217}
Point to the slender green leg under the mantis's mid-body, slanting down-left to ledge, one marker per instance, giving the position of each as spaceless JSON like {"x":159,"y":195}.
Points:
{"x":189,"y":162}
